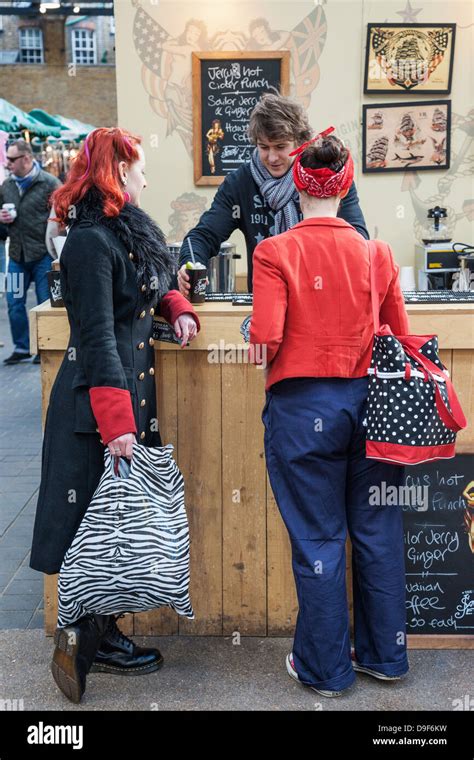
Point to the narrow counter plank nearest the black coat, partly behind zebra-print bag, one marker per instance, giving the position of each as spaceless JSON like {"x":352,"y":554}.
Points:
{"x":163,"y":621}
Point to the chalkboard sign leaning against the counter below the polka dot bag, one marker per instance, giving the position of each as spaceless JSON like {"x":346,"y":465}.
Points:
{"x":439,"y":547}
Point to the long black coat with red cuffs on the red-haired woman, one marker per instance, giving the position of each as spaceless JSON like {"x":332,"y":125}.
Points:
{"x":110,"y":344}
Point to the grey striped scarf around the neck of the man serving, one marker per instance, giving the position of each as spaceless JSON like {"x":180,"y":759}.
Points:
{"x":279,"y":192}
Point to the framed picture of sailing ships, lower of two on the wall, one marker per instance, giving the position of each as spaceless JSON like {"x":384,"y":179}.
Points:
{"x":401,"y":136}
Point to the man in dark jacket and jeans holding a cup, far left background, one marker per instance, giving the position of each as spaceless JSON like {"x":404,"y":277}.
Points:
{"x":28,"y":188}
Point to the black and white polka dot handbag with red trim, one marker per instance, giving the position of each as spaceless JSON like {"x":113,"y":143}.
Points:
{"x":413,"y":412}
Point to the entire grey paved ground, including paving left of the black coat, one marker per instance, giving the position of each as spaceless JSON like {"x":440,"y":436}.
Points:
{"x":207,"y":673}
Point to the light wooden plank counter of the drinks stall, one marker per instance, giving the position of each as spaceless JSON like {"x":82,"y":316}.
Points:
{"x":241,"y":578}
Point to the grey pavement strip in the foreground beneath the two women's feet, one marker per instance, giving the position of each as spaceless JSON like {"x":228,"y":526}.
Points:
{"x":210,"y":673}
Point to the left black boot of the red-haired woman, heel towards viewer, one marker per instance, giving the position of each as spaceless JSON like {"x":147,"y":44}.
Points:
{"x":76,"y":647}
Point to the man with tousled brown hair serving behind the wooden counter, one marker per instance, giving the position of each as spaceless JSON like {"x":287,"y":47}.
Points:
{"x":260,"y":197}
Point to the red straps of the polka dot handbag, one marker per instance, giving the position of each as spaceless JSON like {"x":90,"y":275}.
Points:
{"x":453,"y":418}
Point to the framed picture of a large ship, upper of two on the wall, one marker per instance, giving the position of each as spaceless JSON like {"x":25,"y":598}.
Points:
{"x":409,"y":58}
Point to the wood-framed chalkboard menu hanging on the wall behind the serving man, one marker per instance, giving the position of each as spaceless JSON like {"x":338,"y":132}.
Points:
{"x":226,"y":87}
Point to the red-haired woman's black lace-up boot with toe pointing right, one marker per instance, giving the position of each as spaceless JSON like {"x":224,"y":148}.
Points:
{"x":119,"y":655}
